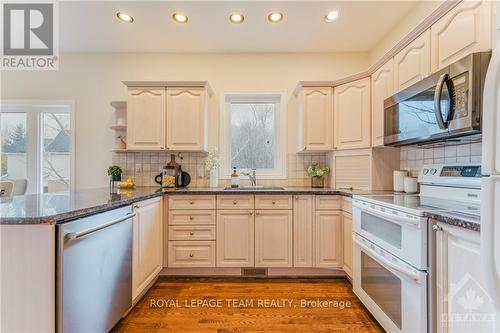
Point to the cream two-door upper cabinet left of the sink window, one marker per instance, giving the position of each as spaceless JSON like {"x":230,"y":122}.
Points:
{"x":167,"y":115}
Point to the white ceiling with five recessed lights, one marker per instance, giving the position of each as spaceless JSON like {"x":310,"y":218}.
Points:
{"x":91,"y":26}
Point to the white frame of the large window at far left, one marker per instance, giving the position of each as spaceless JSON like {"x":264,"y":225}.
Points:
{"x":34,"y":149}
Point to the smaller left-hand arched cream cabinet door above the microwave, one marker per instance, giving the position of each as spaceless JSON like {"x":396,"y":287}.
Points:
{"x":413,"y":63}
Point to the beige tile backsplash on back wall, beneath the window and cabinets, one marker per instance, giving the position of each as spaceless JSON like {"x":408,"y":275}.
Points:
{"x":193,"y":163}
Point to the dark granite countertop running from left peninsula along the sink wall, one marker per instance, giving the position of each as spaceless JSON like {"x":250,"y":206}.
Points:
{"x":63,"y":206}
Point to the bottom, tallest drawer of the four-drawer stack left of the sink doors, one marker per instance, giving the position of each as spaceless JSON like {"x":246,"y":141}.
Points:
{"x":191,"y":254}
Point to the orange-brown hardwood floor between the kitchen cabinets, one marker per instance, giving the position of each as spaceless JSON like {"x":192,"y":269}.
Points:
{"x":260,"y":305}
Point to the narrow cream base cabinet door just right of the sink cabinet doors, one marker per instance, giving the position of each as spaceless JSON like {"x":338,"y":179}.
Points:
{"x":303,"y":236}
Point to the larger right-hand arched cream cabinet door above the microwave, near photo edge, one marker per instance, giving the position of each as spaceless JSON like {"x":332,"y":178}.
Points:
{"x":465,"y":29}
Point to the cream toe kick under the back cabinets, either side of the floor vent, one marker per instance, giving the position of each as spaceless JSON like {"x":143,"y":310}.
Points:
{"x":271,"y":272}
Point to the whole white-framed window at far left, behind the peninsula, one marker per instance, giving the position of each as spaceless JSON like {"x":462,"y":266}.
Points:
{"x":38,"y":144}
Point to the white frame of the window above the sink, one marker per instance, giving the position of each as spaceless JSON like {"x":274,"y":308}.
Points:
{"x":279,"y":171}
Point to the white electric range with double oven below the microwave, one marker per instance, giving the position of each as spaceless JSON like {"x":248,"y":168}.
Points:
{"x":393,"y":262}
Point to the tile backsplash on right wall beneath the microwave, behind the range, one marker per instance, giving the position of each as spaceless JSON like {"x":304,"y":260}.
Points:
{"x":413,"y":157}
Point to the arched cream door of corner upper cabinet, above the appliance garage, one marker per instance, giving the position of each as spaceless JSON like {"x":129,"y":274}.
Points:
{"x":352,"y":115}
